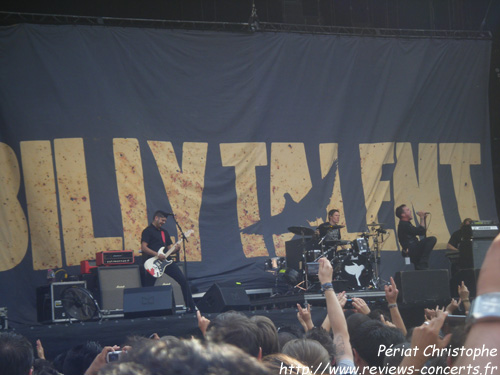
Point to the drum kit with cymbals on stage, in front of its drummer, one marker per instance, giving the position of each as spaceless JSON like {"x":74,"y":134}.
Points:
{"x":354,"y":262}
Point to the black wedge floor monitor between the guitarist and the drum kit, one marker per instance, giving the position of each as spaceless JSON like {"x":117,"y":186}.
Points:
{"x":224,"y":297}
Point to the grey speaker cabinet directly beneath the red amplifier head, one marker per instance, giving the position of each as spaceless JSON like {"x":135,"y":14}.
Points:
{"x":113,"y":280}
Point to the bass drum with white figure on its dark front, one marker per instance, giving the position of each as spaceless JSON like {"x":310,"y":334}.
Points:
{"x":356,"y":271}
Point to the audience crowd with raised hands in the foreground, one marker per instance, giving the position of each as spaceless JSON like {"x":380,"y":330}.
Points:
{"x":357,"y":341}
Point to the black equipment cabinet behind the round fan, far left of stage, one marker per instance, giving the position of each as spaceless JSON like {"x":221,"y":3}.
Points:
{"x":49,"y":302}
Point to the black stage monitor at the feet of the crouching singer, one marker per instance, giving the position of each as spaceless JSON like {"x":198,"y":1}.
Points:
{"x":422,"y":286}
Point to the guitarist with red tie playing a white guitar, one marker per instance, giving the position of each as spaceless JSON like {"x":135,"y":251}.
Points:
{"x":153,"y":238}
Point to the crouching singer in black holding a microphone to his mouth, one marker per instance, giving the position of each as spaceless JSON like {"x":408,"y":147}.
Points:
{"x":418,"y":251}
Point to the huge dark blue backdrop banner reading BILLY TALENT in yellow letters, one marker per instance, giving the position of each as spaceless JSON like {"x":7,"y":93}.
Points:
{"x":240,"y":135}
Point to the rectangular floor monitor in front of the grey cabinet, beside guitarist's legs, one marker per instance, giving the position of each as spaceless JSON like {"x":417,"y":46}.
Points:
{"x":148,"y":301}
